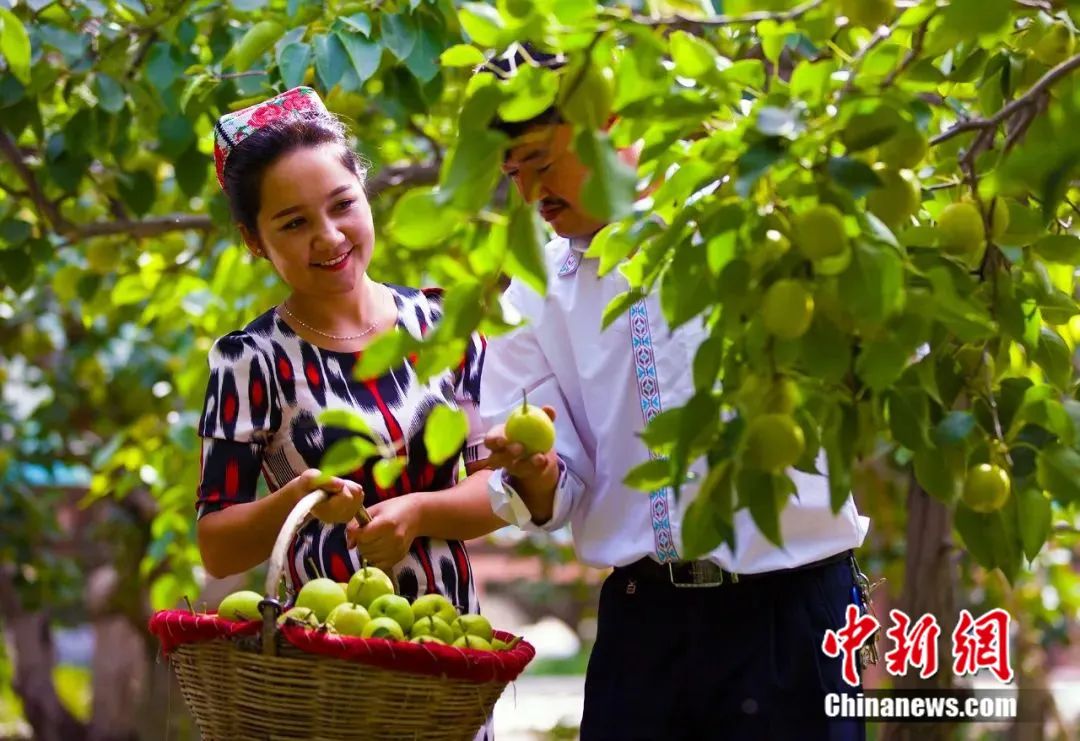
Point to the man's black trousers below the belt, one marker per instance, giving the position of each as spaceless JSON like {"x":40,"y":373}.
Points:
{"x":740,"y":662}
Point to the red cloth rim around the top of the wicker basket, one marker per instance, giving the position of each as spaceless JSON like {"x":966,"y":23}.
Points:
{"x":178,"y":628}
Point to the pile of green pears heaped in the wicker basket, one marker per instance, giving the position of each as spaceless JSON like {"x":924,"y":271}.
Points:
{"x":368,"y":608}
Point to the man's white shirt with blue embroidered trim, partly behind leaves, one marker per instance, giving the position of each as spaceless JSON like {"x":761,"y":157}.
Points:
{"x":605,"y":385}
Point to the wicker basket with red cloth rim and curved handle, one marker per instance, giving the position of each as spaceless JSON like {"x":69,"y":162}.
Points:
{"x":258,"y":681}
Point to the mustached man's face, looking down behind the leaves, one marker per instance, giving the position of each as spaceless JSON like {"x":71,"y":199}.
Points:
{"x":549,"y":173}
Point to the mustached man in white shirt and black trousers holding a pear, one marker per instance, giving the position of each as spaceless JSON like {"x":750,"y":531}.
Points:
{"x":726,"y":648}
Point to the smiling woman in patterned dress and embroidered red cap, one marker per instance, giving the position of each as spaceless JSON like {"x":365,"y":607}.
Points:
{"x":296,"y":192}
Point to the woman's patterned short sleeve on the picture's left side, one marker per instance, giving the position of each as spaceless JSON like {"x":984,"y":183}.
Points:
{"x":235,"y":424}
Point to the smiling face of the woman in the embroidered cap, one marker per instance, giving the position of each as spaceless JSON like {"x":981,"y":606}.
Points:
{"x":315,"y":222}
